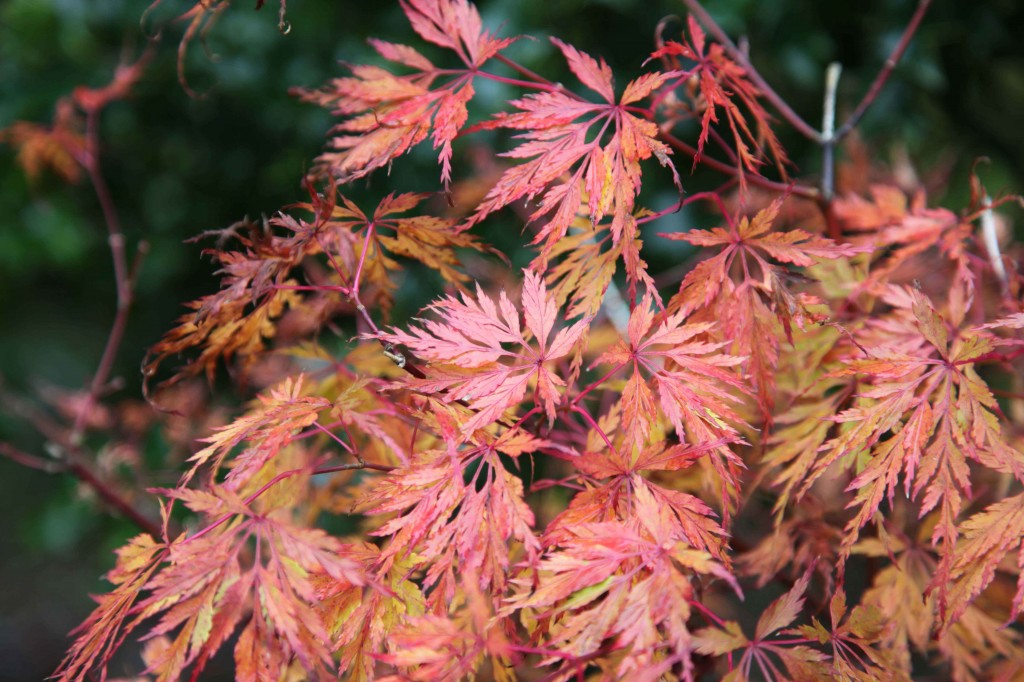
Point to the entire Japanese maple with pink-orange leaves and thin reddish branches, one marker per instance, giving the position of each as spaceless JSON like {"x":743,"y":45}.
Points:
{"x":566,"y":467}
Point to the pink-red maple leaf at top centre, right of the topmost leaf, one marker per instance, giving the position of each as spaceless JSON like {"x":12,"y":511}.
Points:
{"x":566,"y":136}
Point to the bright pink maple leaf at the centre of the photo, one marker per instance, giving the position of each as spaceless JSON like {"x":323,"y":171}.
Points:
{"x":467,"y":350}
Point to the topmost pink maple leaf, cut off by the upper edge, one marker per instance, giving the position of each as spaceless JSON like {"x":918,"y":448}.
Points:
{"x":389,"y":114}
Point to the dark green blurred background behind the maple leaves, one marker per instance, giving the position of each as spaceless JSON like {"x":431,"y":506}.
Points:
{"x":180,"y":165}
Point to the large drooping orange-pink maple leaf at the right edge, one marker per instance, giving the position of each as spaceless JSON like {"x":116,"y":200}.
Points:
{"x":924,"y":416}
